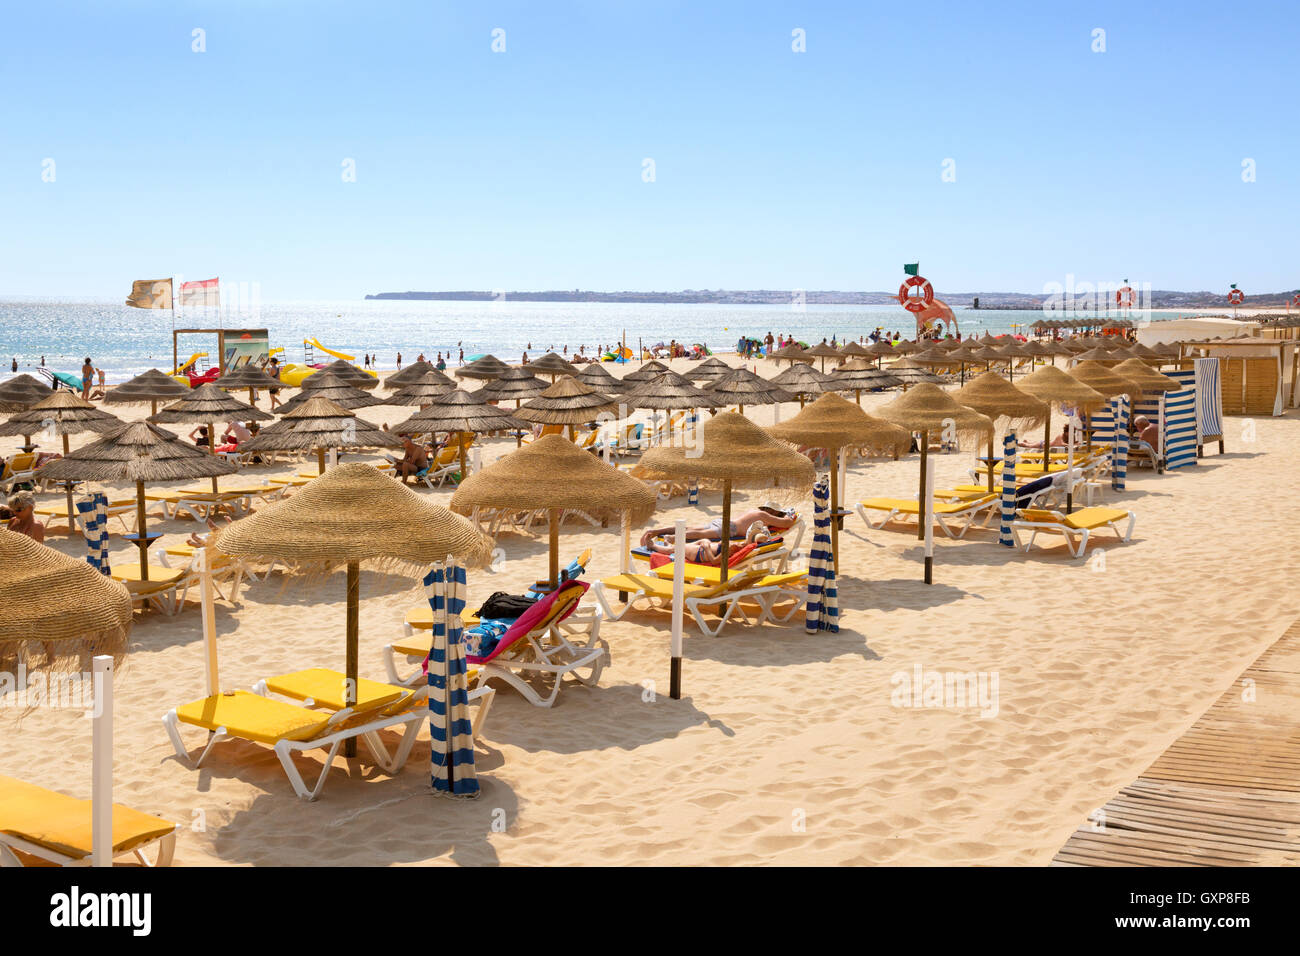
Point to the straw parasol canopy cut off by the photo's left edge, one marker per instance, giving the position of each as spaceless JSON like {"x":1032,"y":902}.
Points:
{"x":58,"y":605}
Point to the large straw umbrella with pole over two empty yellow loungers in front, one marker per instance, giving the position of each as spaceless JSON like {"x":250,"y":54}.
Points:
{"x":348,"y":517}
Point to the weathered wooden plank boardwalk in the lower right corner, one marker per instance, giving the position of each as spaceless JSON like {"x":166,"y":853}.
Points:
{"x":1225,"y":794}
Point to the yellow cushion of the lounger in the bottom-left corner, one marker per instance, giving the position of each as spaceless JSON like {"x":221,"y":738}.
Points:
{"x":63,"y":824}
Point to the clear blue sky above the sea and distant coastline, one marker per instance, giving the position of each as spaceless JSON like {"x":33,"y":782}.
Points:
{"x":525,"y":170}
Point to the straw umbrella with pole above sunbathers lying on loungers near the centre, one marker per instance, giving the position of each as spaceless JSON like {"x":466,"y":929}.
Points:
{"x":733,"y":453}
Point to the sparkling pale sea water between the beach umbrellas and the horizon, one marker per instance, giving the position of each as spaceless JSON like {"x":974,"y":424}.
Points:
{"x":125,"y":341}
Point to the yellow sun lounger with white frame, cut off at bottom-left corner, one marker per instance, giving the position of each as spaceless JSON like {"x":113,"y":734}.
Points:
{"x":53,"y":827}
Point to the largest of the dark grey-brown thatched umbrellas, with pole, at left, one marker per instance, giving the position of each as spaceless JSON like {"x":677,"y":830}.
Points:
{"x":137,"y":452}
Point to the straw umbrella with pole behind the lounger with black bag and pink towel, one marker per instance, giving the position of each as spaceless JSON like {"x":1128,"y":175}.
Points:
{"x":554,"y":475}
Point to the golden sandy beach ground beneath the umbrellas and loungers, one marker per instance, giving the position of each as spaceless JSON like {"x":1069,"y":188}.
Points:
{"x":787,"y":747}
